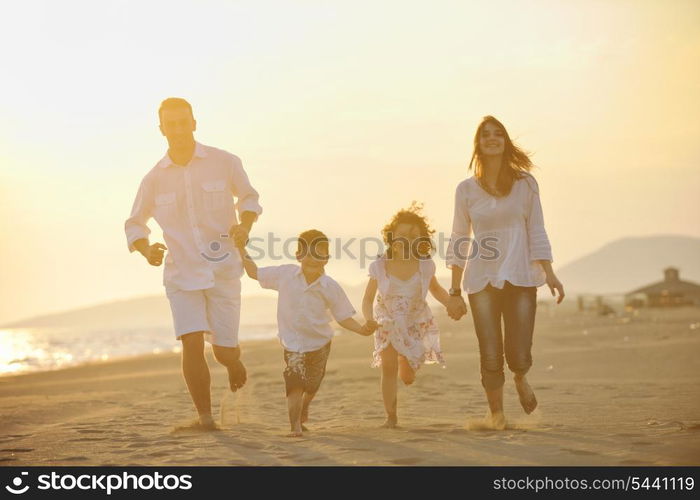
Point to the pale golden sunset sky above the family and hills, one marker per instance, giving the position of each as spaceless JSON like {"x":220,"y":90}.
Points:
{"x":343,"y":113}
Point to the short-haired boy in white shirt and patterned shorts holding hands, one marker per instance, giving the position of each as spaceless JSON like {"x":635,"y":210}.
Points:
{"x":306,"y":294}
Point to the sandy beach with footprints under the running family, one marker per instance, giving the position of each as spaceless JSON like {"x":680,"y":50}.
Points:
{"x":614,"y":390}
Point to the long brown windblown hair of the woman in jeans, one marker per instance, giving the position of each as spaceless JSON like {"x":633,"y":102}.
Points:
{"x":516,"y":162}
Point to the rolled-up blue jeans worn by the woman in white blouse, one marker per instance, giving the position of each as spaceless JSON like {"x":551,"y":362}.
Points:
{"x":517,"y":306}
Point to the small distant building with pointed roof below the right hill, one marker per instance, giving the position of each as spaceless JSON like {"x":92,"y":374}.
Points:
{"x":672,"y":291}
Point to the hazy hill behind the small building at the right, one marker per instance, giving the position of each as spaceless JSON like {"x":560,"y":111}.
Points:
{"x":629,"y":263}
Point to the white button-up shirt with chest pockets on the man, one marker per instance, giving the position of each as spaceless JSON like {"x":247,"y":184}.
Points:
{"x":194,"y":206}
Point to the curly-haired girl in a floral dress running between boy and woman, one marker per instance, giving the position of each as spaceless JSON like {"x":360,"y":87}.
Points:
{"x":407,"y":335}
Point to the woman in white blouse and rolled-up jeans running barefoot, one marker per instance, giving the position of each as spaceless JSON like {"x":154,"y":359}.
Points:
{"x":508,"y":258}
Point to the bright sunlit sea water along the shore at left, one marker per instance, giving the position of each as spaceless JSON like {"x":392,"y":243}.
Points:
{"x":25,"y":350}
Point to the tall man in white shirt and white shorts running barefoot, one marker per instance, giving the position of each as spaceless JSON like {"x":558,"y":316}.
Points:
{"x":189,"y":193}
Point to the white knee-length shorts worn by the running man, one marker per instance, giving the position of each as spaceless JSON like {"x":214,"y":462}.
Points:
{"x":216,"y":311}
